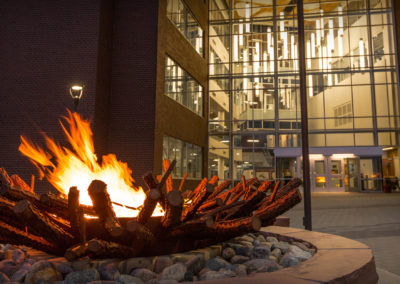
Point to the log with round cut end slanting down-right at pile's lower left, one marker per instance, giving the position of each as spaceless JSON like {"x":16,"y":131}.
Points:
{"x":39,"y":222}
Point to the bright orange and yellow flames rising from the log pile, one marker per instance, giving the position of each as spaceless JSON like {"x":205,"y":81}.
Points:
{"x":78,"y":165}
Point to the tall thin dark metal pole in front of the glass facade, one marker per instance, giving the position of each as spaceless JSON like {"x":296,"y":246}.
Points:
{"x":304,"y":118}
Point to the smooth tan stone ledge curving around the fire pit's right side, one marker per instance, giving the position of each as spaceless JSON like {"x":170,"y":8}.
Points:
{"x":337,"y":260}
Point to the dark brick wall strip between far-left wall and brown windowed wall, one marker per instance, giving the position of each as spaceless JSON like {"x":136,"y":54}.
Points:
{"x":133,"y":84}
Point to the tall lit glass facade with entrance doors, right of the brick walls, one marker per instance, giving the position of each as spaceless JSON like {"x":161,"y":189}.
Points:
{"x":352,"y":92}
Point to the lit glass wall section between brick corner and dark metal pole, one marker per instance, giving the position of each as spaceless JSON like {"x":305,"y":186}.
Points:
{"x":254,"y":86}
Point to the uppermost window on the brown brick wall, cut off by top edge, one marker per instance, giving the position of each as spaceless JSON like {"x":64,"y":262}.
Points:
{"x":184,"y":21}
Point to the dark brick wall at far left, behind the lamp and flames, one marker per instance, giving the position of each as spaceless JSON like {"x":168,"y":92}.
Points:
{"x":45,"y":47}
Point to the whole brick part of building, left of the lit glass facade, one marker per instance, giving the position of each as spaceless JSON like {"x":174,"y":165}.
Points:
{"x":144,"y":67}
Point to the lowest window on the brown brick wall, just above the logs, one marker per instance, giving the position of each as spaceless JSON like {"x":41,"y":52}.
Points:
{"x":189,"y":157}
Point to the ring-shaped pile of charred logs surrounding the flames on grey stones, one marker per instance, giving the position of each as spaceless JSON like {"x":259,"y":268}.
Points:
{"x":209,"y":214}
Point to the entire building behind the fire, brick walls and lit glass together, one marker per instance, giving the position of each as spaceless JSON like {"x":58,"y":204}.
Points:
{"x":213,"y":84}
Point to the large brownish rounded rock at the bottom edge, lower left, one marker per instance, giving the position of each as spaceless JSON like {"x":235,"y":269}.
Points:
{"x":44,"y":272}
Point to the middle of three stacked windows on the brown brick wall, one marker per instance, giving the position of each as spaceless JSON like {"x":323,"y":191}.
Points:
{"x":181,"y":87}
